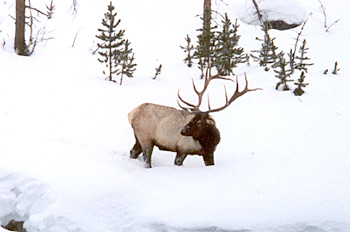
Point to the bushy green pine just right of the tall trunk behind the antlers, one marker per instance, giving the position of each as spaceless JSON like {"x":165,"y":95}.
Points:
{"x":227,"y":54}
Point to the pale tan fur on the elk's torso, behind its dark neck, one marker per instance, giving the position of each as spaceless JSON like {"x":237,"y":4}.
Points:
{"x":161,"y":126}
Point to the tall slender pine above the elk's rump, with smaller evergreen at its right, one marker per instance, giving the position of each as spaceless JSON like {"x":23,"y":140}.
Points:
{"x":111,"y":41}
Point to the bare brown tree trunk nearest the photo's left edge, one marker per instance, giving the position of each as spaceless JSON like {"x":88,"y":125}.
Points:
{"x":20,"y":46}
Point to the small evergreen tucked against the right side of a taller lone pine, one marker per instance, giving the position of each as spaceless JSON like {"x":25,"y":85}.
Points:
{"x":125,"y":59}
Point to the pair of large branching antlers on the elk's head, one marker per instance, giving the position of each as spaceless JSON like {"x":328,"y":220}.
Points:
{"x":195,"y":108}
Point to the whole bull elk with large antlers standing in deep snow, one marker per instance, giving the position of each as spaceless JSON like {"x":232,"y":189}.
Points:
{"x":189,"y":131}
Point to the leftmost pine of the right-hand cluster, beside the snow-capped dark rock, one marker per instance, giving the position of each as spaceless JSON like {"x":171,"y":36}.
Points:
{"x":267,"y":54}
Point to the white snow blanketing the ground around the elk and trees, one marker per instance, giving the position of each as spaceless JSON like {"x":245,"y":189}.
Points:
{"x":282,"y":164}
